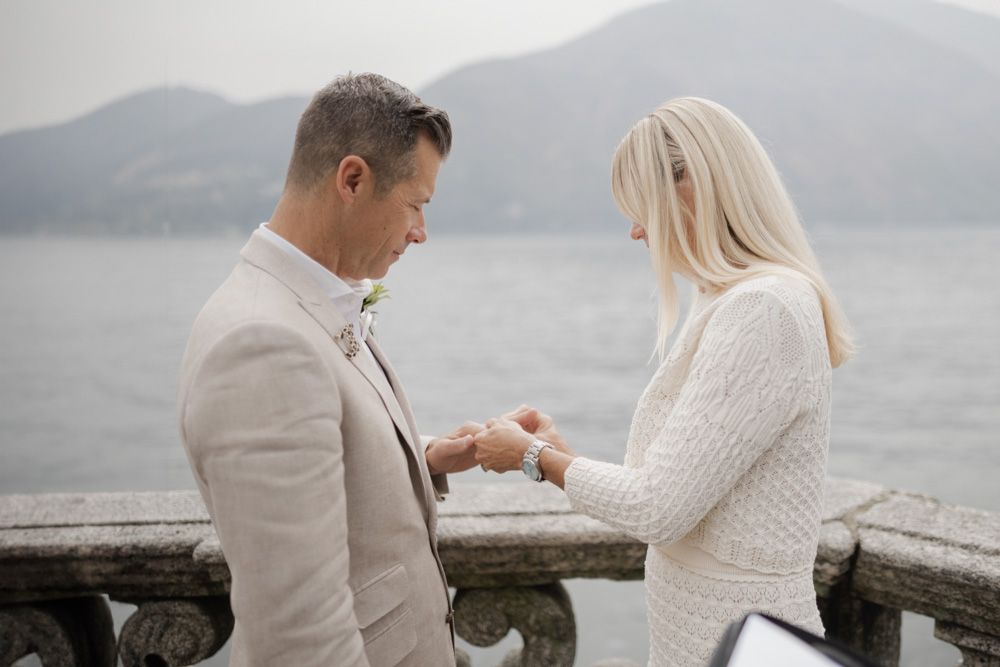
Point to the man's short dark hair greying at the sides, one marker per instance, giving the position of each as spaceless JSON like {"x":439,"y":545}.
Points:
{"x":369,"y":116}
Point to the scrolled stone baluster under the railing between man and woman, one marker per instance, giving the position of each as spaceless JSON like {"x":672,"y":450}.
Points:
{"x":543,"y":615}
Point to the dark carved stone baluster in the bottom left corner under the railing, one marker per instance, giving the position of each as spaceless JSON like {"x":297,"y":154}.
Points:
{"x":75,"y":632}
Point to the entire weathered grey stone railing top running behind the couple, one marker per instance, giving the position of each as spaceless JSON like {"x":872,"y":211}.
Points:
{"x":899,"y":549}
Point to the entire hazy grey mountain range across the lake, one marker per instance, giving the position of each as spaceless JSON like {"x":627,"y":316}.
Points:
{"x":868,"y":121}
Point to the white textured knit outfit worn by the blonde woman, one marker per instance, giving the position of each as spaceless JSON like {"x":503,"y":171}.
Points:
{"x":725,"y":469}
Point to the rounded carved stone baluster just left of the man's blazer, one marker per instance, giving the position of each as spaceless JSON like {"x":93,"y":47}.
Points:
{"x":175,"y":633}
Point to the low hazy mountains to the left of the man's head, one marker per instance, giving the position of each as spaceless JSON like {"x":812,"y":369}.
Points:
{"x":169,"y":156}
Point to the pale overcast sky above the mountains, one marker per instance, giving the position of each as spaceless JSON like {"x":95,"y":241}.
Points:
{"x":59,"y":60}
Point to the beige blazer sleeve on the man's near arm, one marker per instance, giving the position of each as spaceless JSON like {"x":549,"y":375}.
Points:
{"x":262,"y":423}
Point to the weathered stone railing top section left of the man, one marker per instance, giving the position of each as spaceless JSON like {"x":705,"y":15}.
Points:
{"x":129,"y":545}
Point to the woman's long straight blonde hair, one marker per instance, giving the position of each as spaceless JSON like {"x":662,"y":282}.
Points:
{"x":693,"y":151}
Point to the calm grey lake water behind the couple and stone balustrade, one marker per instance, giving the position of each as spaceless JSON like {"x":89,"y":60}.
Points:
{"x":93,"y":331}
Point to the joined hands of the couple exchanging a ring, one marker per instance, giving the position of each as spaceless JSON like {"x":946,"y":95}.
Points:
{"x":499,"y":445}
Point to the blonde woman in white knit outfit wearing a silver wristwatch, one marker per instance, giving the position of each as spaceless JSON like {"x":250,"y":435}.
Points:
{"x":726,"y":459}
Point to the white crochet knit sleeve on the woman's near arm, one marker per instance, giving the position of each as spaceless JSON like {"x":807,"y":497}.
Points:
{"x":739,"y":394}
